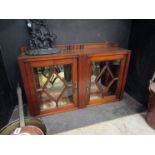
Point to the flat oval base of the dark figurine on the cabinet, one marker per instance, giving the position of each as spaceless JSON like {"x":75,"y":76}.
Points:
{"x":43,"y":51}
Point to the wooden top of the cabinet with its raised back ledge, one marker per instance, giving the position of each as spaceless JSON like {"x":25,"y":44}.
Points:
{"x":74,"y":50}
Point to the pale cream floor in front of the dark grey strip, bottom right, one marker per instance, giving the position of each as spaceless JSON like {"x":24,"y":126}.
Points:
{"x":128,"y":125}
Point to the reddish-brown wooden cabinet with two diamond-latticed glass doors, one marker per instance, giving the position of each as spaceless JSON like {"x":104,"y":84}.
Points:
{"x":80,"y":75}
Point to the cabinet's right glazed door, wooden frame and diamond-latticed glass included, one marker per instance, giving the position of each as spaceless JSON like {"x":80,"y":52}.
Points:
{"x":105,"y":78}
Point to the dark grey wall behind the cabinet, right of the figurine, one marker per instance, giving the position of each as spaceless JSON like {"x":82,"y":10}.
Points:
{"x":80,"y":31}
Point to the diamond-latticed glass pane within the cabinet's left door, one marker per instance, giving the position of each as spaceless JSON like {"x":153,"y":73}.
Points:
{"x":54,"y":86}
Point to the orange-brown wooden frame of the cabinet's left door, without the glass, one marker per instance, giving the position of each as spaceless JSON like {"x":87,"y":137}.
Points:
{"x":34,"y":107}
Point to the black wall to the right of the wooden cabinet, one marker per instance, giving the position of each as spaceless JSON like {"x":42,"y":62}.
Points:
{"x":142,"y":64}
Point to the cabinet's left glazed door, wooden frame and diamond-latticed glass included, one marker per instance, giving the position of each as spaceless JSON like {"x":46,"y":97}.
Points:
{"x":53,"y":85}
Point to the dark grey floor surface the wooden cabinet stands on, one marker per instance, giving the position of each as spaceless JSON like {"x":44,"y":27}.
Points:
{"x":67,"y":121}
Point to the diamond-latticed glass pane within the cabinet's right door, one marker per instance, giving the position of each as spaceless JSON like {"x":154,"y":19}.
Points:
{"x":104,"y":78}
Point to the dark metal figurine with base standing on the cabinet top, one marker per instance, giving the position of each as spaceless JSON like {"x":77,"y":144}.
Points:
{"x":42,"y":40}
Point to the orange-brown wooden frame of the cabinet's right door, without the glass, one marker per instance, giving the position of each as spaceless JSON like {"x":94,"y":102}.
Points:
{"x":121,"y":78}
